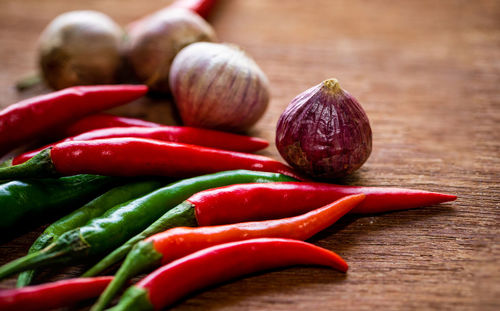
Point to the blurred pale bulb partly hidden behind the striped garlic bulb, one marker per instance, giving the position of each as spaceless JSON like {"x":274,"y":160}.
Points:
{"x":154,"y":42}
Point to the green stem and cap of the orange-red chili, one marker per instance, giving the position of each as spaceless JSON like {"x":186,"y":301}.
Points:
{"x":143,"y":256}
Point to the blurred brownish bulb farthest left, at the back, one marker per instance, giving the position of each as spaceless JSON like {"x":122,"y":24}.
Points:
{"x":80,"y":48}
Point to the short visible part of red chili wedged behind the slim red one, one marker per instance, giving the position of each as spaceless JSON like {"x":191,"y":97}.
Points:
{"x":100,"y":121}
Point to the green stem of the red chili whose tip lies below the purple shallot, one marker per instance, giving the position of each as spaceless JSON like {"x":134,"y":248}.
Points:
{"x":39,"y":165}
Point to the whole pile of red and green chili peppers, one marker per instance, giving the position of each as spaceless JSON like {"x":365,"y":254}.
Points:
{"x":247,"y":211}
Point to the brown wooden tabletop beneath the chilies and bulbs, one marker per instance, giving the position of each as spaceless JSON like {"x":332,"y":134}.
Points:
{"x":426,"y":72}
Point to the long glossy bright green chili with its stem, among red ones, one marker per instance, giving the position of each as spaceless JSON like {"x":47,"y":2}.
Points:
{"x":118,"y":224}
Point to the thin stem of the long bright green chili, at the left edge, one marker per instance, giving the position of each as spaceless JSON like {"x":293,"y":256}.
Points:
{"x":55,"y":253}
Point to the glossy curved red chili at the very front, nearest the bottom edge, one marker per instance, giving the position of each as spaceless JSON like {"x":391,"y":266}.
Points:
{"x":219,"y":264}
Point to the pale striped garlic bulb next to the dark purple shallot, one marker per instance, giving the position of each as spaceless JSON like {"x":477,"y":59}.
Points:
{"x":218,"y":86}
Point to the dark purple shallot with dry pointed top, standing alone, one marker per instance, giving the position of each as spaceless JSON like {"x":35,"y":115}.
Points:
{"x":324,"y":132}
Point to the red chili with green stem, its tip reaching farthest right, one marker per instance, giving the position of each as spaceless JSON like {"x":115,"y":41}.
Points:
{"x":249,"y":202}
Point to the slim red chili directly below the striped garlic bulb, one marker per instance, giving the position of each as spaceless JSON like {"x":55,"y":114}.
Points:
{"x":178,"y":134}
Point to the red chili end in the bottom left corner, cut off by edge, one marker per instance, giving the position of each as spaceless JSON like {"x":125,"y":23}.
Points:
{"x":52,"y":295}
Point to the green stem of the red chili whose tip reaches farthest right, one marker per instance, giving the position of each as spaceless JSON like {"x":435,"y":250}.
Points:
{"x":181,"y":215}
